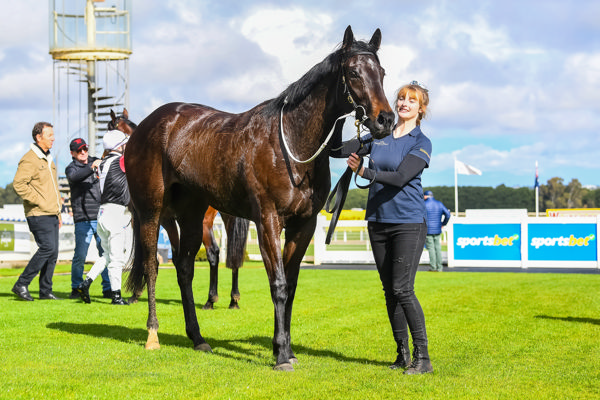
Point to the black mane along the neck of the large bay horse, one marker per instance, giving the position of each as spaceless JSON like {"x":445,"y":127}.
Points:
{"x":299,"y":90}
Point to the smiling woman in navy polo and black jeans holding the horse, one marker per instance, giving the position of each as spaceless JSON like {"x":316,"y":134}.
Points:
{"x":396,"y":219}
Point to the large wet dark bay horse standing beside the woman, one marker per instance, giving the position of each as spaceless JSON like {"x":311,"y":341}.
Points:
{"x":184,"y":157}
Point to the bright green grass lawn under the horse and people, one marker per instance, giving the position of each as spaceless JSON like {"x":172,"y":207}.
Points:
{"x":492,"y":336}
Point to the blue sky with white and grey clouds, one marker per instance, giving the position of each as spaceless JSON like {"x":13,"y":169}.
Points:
{"x":510,"y":82}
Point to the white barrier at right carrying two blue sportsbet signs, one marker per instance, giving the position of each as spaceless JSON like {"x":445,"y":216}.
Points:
{"x":525,"y":242}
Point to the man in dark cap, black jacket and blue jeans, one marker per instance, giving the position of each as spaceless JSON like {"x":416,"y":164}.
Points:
{"x":85,"y":203}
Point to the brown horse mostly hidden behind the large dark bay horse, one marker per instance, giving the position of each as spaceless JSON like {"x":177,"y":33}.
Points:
{"x":237,"y":235}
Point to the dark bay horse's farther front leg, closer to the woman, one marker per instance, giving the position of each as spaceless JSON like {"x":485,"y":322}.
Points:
{"x":297,"y":239}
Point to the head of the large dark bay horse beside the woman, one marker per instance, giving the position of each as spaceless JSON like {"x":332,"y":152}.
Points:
{"x":362,"y":79}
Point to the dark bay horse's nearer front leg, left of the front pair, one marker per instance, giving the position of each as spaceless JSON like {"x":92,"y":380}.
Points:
{"x":269,"y":230}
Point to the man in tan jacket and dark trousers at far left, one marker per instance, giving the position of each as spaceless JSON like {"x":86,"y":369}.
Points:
{"x":36,"y":182}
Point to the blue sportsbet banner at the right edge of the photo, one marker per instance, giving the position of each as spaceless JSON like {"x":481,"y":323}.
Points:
{"x":562,"y":242}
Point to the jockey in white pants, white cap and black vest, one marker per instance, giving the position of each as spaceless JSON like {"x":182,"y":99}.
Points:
{"x":114,"y":219}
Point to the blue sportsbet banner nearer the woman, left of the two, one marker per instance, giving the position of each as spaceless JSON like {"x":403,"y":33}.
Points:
{"x":487,"y":242}
